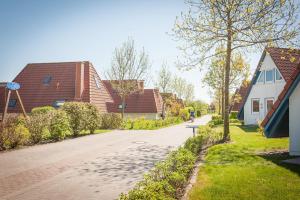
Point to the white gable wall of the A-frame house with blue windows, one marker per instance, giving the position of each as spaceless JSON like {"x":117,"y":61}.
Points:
{"x":262,"y":91}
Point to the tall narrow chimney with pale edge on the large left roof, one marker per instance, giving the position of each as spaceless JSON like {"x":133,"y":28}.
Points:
{"x":79,"y":80}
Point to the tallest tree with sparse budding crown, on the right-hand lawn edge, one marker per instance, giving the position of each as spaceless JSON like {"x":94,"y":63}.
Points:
{"x":237,"y":24}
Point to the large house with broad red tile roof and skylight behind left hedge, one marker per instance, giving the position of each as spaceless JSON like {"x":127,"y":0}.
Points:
{"x":52,"y":84}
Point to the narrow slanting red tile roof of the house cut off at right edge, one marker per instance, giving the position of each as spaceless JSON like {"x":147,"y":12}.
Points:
{"x":281,"y":96}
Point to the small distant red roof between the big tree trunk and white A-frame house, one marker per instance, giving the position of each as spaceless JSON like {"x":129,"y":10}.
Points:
{"x":239,"y":96}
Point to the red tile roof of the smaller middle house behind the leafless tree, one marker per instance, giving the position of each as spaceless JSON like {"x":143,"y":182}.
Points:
{"x":146,"y":101}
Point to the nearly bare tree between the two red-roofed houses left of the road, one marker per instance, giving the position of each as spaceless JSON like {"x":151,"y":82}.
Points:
{"x":128,"y":68}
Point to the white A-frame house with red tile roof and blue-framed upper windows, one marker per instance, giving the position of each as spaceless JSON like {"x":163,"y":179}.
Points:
{"x":274,"y":70}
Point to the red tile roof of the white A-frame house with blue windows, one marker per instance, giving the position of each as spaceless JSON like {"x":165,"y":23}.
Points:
{"x":285,"y":59}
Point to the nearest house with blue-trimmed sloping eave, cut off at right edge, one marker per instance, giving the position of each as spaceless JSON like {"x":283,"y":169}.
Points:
{"x":284,"y":117}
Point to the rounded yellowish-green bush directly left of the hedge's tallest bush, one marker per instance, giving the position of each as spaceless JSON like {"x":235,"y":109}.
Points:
{"x":59,"y":125}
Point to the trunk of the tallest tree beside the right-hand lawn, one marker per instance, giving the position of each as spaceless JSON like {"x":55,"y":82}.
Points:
{"x":226,"y":136}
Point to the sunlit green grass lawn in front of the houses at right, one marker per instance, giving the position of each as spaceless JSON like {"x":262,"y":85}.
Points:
{"x":247,"y":168}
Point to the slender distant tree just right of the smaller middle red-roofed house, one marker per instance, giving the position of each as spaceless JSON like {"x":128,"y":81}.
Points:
{"x":163,"y":83}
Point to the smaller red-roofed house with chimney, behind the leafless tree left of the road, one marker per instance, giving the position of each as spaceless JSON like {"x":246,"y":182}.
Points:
{"x":146,"y":103}
